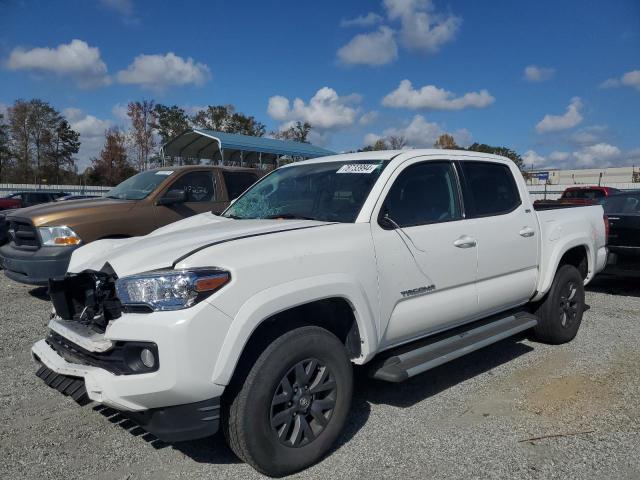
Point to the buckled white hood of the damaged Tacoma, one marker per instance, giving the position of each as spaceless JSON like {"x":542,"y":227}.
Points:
{"x":168,"y":245}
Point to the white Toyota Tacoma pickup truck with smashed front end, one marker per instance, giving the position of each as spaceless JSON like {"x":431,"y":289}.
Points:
{"x":249,"y":322}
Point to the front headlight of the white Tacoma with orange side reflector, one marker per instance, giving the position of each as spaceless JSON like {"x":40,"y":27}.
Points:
{"x":170,"y":289}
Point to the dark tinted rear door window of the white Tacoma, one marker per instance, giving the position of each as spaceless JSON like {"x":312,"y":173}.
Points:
{"x":490,"y":189}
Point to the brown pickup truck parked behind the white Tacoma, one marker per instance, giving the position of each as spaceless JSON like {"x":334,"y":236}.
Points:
{"x":43,"y":237}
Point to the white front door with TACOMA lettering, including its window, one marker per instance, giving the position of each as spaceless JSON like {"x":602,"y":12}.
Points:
{"x":426,"y":258}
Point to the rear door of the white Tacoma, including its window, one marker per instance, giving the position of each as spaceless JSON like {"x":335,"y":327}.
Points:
{"x":507,"y":234}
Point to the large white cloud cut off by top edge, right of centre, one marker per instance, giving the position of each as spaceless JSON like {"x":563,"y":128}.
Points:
{"x":421,"y":27}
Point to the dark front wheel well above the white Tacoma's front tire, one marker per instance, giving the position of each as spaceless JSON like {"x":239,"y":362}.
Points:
{"x":333,"y":314}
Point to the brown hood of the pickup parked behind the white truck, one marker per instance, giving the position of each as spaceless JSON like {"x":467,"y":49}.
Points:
{"x":64,"y":213}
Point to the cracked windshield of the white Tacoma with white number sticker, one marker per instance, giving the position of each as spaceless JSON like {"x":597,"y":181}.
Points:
{"x":332,"y":191}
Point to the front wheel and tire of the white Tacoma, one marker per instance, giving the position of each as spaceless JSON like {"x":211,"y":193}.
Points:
{"x":264,"y":419}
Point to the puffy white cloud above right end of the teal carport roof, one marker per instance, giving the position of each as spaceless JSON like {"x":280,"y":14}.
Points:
{"x":325,"y":111}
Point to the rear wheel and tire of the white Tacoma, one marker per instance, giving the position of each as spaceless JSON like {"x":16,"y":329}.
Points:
{"x":560,"y":313}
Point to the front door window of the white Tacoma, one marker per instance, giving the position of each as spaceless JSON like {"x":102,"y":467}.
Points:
{"x":422,"y":194}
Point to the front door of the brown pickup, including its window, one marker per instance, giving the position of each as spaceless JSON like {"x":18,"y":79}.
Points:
{"x":201,"y":196}
